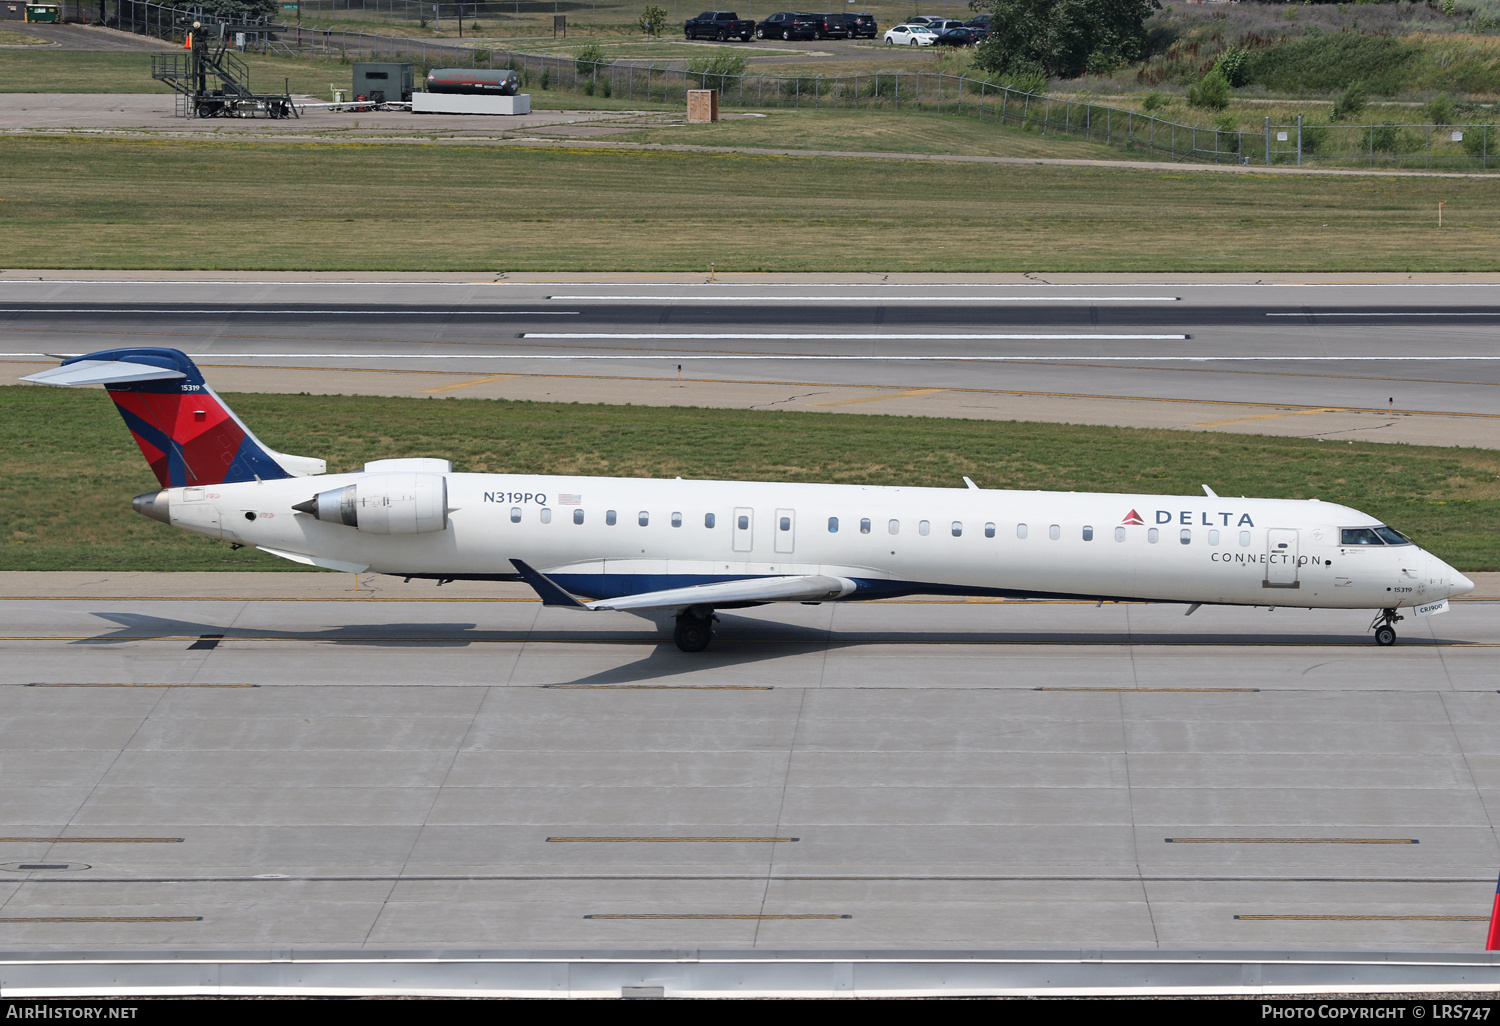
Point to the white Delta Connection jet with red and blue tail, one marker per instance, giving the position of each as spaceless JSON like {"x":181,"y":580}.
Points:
{"x":691,"y":548}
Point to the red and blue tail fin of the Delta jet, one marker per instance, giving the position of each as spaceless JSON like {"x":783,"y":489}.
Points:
{"x":185,"y":431}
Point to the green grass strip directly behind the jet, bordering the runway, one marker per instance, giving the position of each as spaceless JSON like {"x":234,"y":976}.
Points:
{"x":68,"y":467}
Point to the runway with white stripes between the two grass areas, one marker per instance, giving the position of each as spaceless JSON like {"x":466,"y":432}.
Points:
{"x":1379,"y":361}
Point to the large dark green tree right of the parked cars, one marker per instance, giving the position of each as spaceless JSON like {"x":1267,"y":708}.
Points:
{"x":1063,"y":38}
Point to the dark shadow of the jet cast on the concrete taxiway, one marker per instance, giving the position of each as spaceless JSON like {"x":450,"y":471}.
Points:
{"x":740,"y":641}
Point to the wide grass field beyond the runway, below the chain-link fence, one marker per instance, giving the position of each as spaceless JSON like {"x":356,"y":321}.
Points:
{"x":107,"y":203}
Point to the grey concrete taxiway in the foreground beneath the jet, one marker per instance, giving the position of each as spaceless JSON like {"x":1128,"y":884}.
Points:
{"x":461,"y":775}
